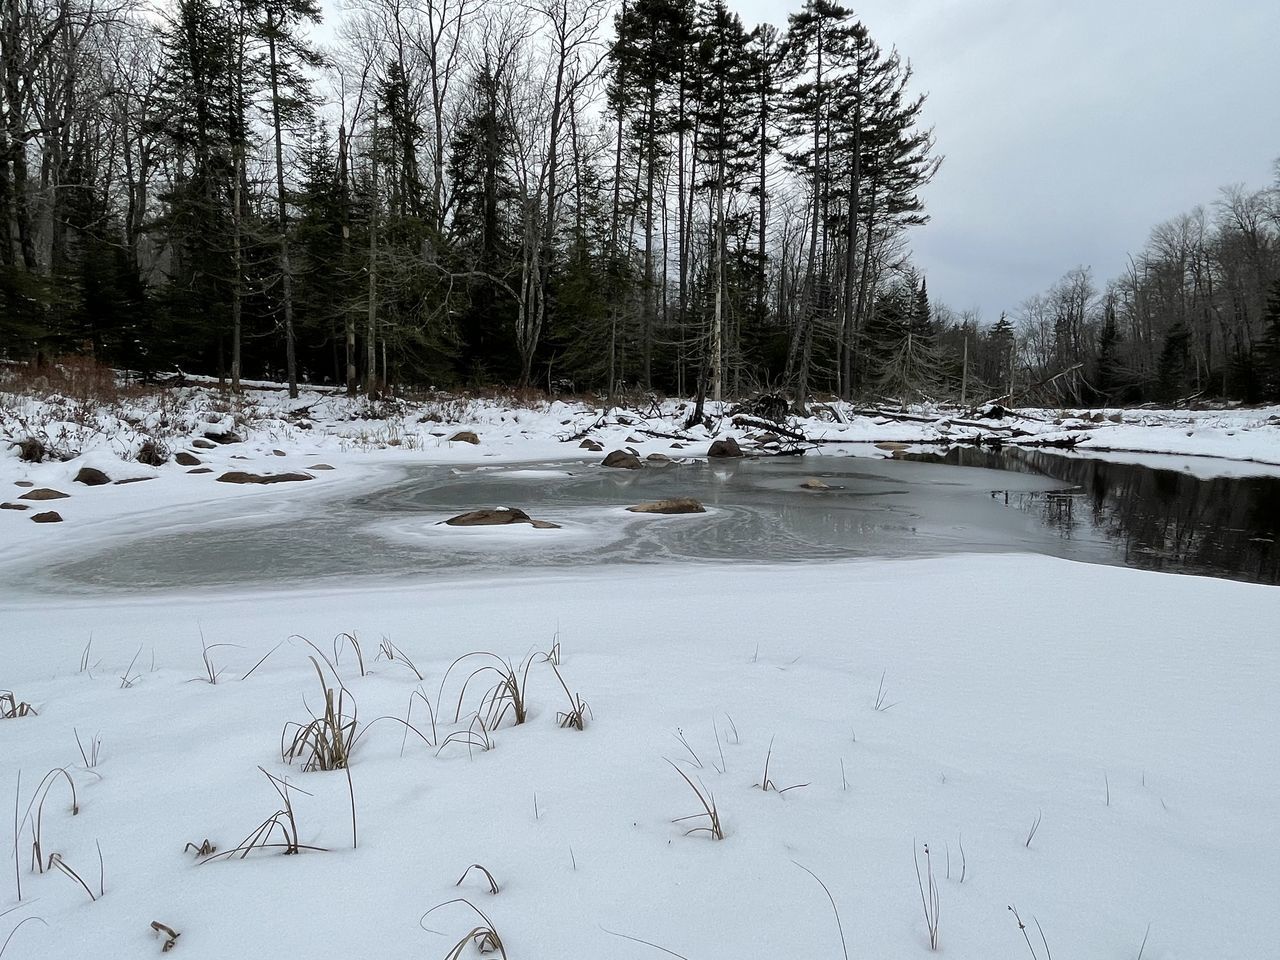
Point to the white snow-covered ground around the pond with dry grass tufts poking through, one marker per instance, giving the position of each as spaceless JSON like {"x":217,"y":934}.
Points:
{"x":953,"y":702}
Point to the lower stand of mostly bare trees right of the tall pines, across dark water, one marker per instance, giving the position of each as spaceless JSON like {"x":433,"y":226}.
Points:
{"x":1195,"y":314}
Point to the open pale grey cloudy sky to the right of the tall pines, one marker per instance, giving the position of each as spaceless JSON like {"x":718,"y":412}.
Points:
{"x":1073,"y":127}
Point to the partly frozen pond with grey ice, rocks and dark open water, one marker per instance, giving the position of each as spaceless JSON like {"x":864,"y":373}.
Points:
{"x":967,"y":501}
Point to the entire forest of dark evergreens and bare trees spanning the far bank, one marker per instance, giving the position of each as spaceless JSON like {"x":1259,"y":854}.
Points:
{"x":561,"y":195}
